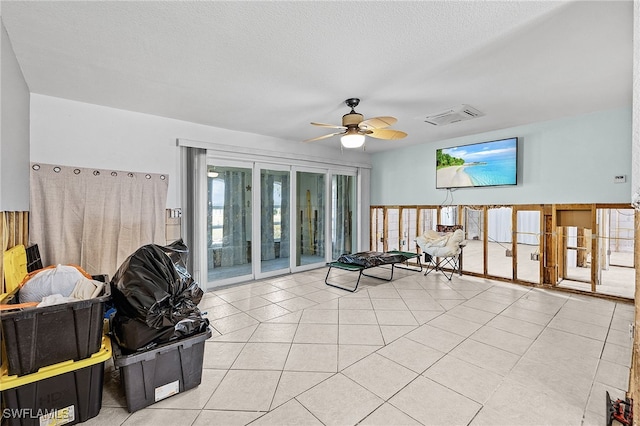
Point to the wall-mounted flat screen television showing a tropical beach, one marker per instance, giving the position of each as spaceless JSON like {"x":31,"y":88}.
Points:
{"x":492,"y":163}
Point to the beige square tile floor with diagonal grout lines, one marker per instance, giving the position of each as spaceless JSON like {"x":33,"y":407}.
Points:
{"x":418,"y":350}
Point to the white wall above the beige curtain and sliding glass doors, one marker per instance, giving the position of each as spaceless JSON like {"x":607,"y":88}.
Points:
{"x":73,"y":133}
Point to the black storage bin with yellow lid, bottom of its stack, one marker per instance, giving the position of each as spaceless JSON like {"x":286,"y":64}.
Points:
{"x":65,"y":393}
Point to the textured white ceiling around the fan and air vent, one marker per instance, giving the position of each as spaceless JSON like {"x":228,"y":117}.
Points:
{"x":271,"y":67}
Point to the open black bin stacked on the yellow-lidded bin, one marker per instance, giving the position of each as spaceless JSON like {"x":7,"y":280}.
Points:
{"x":36,"y":337}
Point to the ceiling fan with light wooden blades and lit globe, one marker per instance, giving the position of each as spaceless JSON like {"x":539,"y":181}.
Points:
{"x":355,"y":127}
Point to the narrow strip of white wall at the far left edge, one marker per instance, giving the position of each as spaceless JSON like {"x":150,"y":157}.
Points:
{"x":14,"y":131}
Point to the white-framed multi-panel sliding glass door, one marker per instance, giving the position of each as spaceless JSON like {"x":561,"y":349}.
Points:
{"x":268,"y":219}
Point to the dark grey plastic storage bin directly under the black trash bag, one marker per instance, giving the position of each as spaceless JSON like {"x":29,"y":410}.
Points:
{"x":161,"y":372}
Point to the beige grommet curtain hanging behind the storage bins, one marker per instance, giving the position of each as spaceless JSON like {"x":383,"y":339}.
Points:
{"x":95,"y":218}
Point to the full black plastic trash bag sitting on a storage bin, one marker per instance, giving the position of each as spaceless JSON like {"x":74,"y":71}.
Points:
{"x":154,"y":288}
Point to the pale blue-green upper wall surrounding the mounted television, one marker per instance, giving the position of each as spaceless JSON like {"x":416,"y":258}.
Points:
{"x":571,"y":160}
